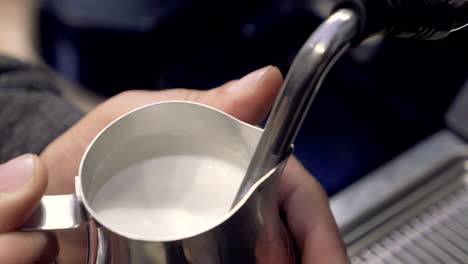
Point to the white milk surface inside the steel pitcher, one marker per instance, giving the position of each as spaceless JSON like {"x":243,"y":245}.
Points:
{"x":176,"y":195}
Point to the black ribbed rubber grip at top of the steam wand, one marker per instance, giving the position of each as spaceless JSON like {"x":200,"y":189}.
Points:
{"x":422,"y":19}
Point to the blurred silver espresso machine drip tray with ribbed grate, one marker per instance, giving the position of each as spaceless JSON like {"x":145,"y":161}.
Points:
{"x":413,"y":208}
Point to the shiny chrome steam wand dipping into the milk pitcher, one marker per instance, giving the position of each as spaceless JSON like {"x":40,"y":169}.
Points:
{"x":331,"y":39}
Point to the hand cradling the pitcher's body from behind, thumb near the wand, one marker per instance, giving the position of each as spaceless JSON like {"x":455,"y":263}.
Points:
{"x":249,"y":99}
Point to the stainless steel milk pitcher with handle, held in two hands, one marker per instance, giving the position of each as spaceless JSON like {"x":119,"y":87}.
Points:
{"x":250,"y":232}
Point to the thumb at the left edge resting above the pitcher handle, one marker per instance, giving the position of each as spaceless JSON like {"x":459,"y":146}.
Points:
{"x":22,"y":183}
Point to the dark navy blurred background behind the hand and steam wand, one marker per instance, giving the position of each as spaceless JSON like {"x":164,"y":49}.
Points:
{"x":380,"y":98}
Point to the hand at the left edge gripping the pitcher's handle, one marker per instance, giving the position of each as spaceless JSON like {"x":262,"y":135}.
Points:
{"x":22,"y":183}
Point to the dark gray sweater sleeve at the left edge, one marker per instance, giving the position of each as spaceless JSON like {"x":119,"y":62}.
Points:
{"x":32,"y":112}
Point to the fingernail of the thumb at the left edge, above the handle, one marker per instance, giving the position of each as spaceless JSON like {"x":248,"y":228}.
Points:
{"x":16,"y":172}
